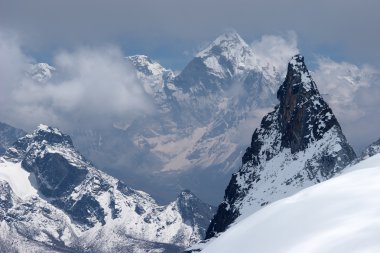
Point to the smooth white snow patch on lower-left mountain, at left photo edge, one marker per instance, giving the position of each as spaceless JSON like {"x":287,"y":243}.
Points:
{"x":19,"y":179}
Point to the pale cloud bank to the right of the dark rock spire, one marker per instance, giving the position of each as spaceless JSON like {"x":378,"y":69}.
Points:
{"x":353,"y":93}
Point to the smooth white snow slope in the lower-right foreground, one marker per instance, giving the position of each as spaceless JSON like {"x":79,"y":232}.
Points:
{"x":338,"y":215}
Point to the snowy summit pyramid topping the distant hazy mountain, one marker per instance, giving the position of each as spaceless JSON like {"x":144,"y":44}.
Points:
{"x":225,"y":59}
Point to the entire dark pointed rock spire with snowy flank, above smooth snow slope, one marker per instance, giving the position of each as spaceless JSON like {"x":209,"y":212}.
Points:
{"x":297,"y":145}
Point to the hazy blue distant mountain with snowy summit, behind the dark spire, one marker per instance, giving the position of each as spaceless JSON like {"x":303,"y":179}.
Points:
{"x":196,"y":131}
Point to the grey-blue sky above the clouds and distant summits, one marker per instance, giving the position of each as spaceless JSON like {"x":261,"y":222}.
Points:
{"x":343,"y":29}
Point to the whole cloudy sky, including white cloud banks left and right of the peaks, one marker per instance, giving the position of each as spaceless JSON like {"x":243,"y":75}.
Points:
{"x":338,"y":37}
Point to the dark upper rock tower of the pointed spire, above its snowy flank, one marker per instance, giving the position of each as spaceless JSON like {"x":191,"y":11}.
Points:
{"x":303,"y":114}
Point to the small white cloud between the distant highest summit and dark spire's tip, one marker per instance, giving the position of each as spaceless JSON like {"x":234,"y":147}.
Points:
{"x":276,"y":50}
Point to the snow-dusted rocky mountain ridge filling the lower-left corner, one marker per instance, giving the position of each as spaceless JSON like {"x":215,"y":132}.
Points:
{"x":52,"y":198}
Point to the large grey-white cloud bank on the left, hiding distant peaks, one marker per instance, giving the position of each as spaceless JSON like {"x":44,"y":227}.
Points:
{"x":91,"y":87}
